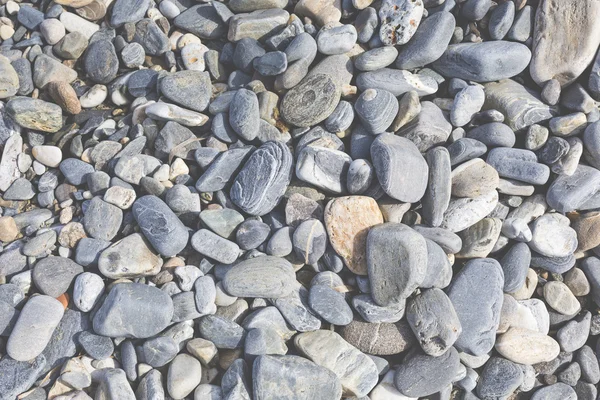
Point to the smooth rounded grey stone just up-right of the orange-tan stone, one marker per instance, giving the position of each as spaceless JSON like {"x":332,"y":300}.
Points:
{"x":392,"y":156}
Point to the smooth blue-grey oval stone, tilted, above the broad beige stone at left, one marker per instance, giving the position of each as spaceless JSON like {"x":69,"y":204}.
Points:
{"x":160,"y":225}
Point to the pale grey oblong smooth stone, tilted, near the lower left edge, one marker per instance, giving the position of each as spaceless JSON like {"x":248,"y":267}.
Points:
{"x":32,"y":332}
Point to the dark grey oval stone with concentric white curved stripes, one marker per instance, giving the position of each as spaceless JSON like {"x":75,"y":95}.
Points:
{"x":258,"y":189}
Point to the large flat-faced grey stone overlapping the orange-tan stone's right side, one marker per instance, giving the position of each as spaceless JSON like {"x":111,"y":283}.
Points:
{"x":396,"y":262}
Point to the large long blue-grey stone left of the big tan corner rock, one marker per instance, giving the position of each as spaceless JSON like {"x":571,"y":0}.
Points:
{"x":483,"y":62}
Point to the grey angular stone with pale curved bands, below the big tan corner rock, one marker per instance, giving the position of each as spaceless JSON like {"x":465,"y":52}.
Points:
{"x":521,"y":106}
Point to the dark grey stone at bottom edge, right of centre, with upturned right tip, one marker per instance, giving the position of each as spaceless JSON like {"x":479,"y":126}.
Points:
{"x":439,"y":370}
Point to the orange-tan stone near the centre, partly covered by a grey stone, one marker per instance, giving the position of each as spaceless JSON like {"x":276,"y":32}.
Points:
{"x":348,"y":220}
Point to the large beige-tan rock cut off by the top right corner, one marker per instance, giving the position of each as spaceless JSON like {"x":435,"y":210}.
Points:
{"x":569,"y":25}
